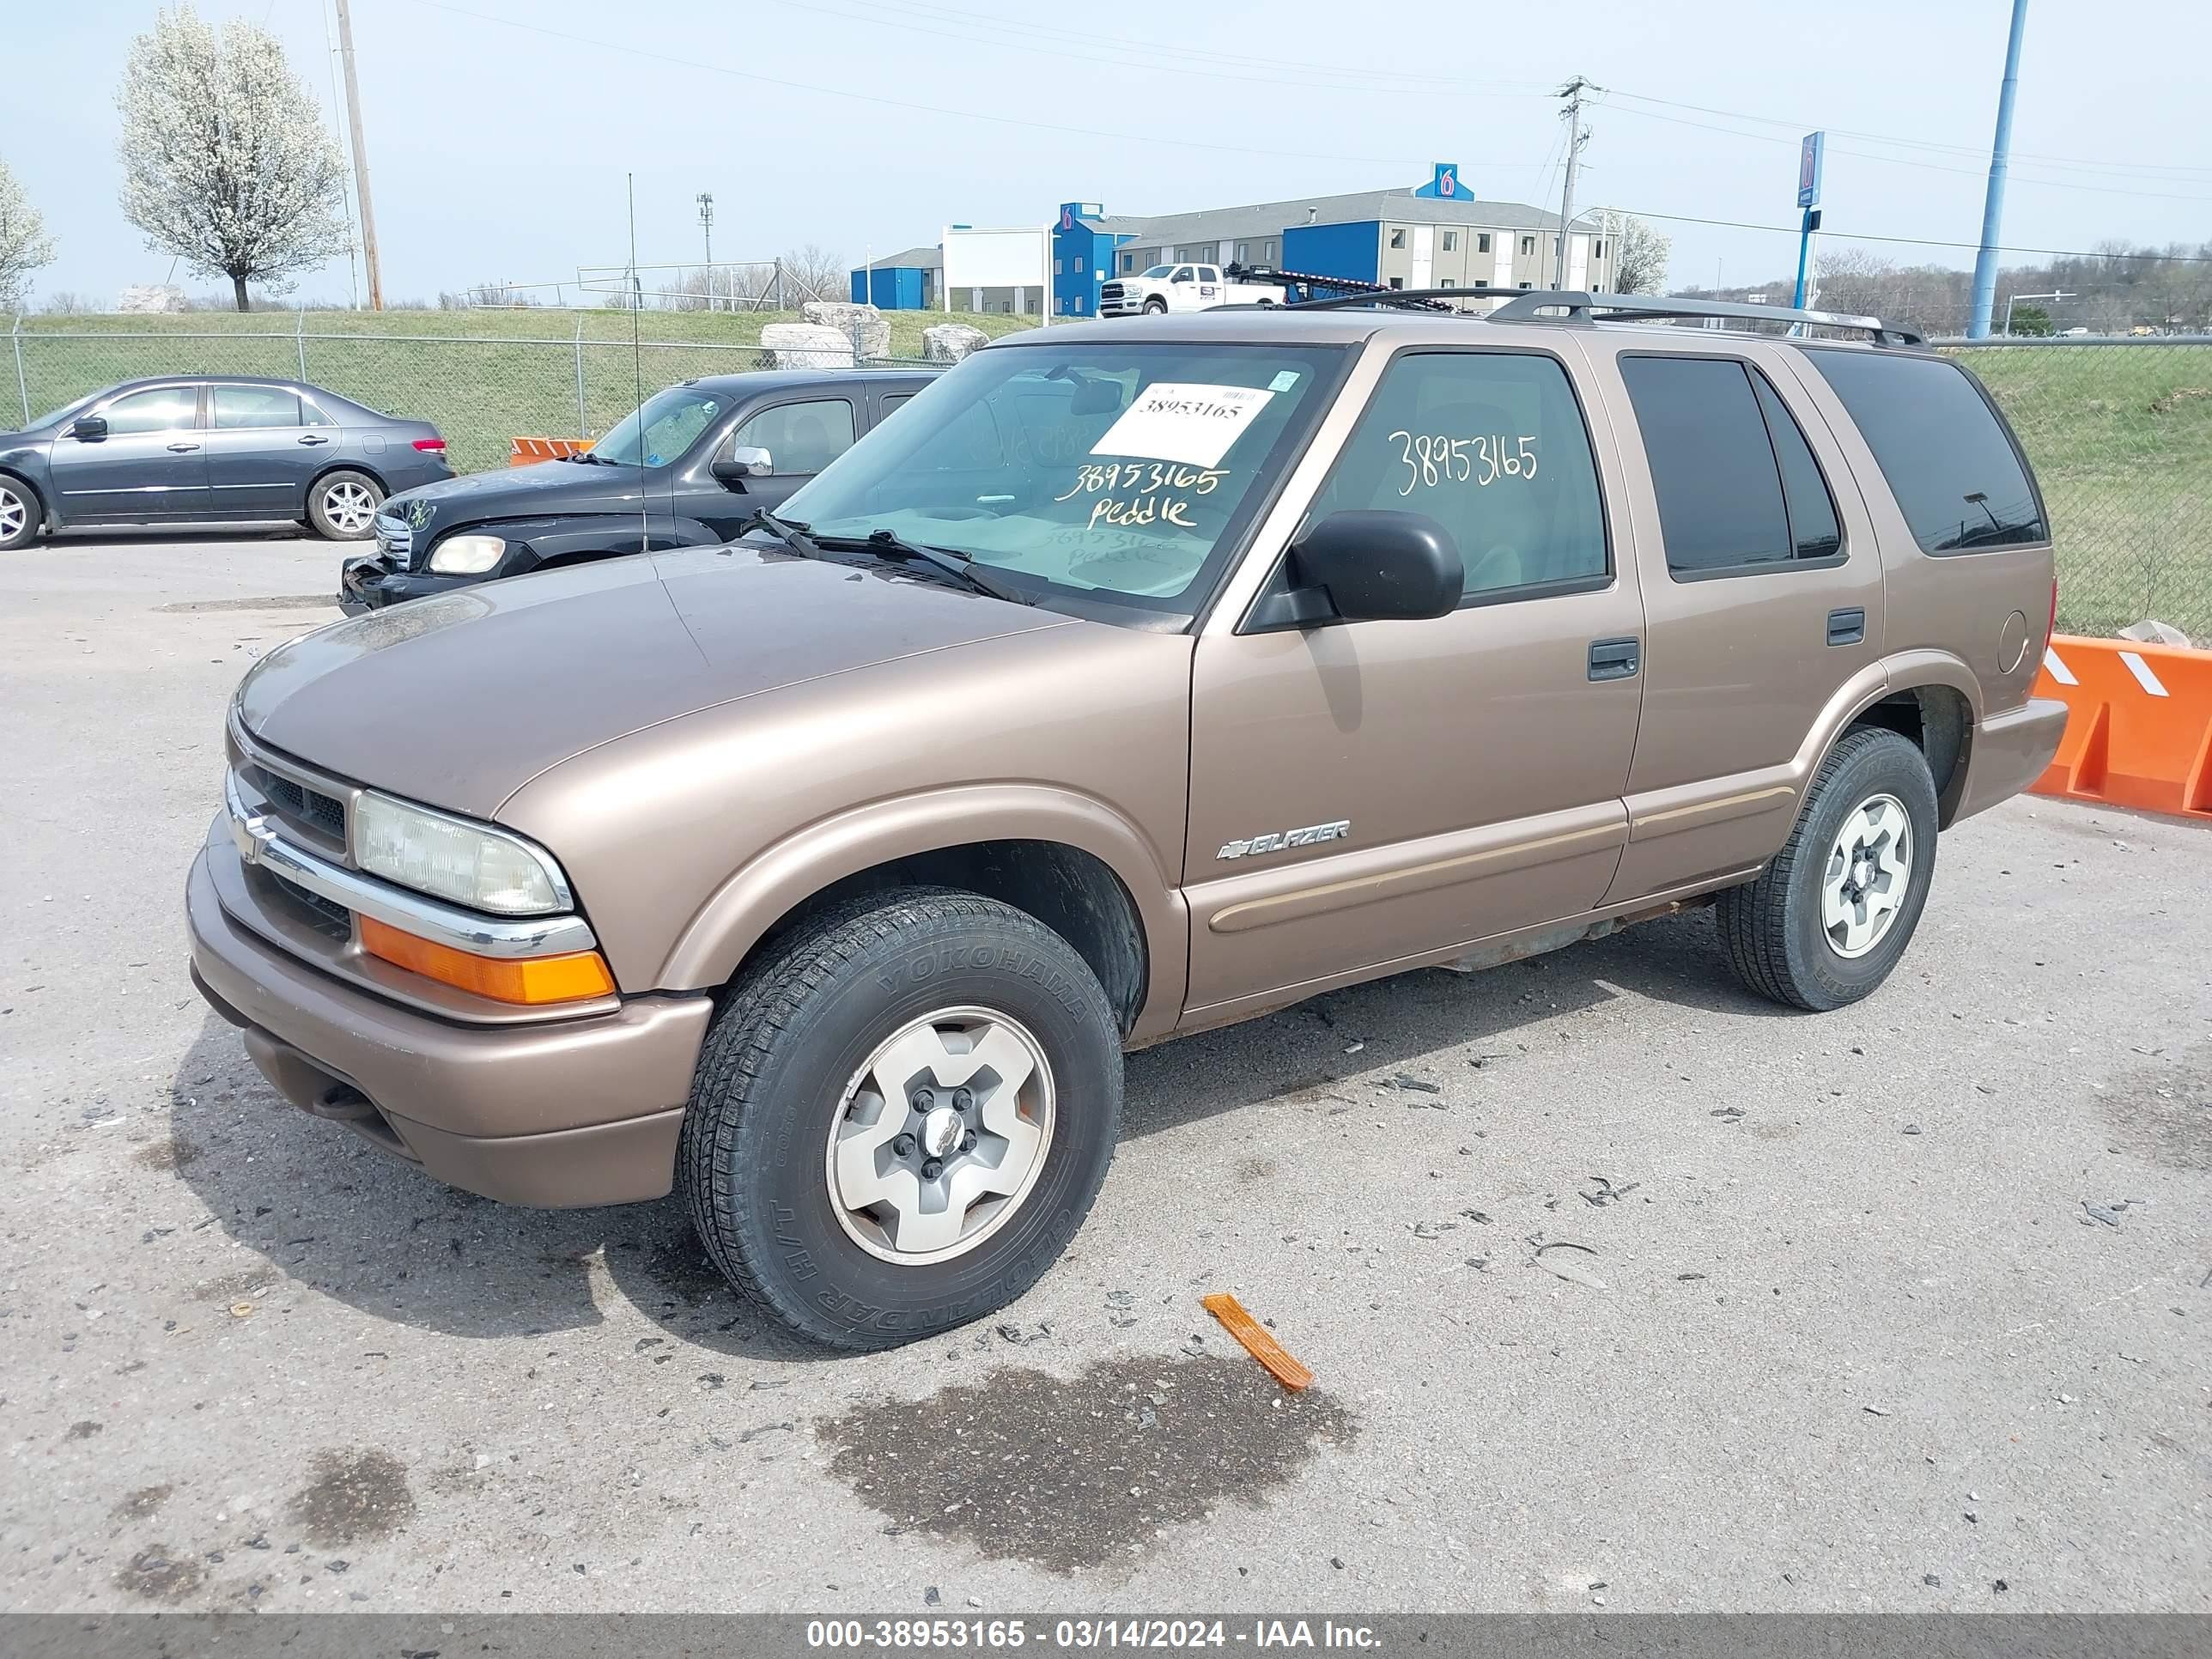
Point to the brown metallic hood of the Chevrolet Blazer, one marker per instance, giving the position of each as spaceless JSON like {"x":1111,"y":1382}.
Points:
{"x":463,"y":698}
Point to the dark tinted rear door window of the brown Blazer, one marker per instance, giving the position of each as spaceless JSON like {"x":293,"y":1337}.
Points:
{"x":1735,"y":479}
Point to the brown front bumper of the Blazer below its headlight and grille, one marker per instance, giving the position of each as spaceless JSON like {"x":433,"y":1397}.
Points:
{"x":556,"y":1114}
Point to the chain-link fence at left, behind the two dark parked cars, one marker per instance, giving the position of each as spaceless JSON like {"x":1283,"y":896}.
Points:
{"x":479,"y":390}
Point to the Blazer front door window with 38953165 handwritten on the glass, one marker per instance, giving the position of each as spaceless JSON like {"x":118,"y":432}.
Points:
{"x":1492,"y":446}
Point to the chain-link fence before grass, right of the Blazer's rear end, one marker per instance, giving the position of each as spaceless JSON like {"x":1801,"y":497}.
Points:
{"x":2122,"y":444}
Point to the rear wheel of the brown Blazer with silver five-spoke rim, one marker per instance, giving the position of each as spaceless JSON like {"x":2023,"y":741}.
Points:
{"x":1837,"y":908}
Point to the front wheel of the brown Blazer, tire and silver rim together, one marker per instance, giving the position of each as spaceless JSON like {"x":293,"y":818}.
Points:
{"x":901,"y":1116}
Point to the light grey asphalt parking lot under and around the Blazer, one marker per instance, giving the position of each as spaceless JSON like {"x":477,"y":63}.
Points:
{"x":1899,"y":1308}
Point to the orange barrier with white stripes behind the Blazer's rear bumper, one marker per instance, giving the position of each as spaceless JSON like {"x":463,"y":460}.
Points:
{"x":2138,"y":729}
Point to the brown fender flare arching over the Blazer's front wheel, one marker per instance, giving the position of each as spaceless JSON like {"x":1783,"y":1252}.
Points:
{"x":789,"y":873}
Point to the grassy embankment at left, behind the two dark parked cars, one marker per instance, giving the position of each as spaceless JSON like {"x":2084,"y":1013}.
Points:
{"x":481,"y":377}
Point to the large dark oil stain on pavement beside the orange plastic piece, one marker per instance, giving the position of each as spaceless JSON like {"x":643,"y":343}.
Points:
{"x":1081,"y":1472}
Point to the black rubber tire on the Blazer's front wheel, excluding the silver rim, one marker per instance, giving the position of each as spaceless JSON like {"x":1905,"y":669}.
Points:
{"x":760,"y":1154}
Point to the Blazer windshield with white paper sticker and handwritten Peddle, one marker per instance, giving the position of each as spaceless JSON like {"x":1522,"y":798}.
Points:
{"x":1114,"y":472}
